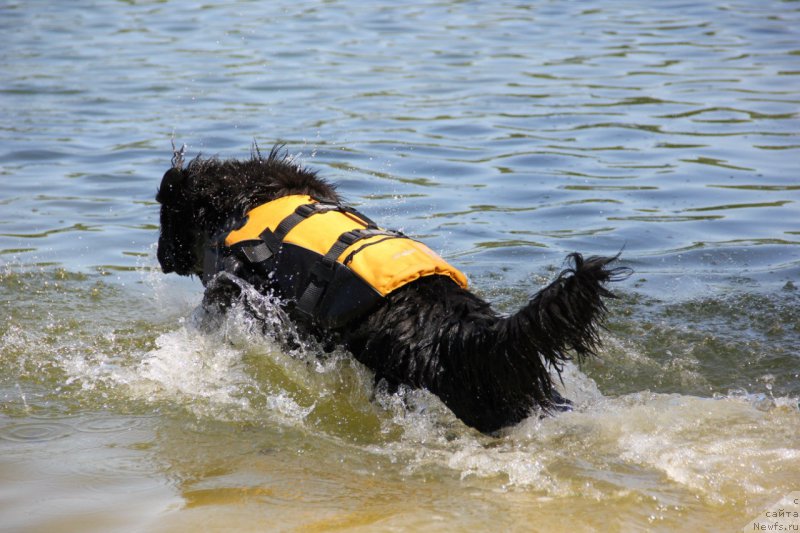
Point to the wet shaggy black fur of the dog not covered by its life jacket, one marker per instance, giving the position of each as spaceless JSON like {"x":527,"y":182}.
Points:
{"x":491,"y":371}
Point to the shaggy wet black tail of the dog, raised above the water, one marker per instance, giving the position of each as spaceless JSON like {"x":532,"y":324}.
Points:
{"x":562,"y":319}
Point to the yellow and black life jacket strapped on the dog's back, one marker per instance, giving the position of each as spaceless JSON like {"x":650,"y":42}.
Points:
{"x":329,"y":257}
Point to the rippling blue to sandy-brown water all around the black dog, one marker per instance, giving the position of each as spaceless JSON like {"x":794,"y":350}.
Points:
{"x":504,"y":134}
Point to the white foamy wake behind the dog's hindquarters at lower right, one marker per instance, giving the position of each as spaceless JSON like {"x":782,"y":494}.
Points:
{"x":720,"y":450}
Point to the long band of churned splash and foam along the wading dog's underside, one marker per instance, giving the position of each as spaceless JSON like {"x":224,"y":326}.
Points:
{"x":722,"y":449}
